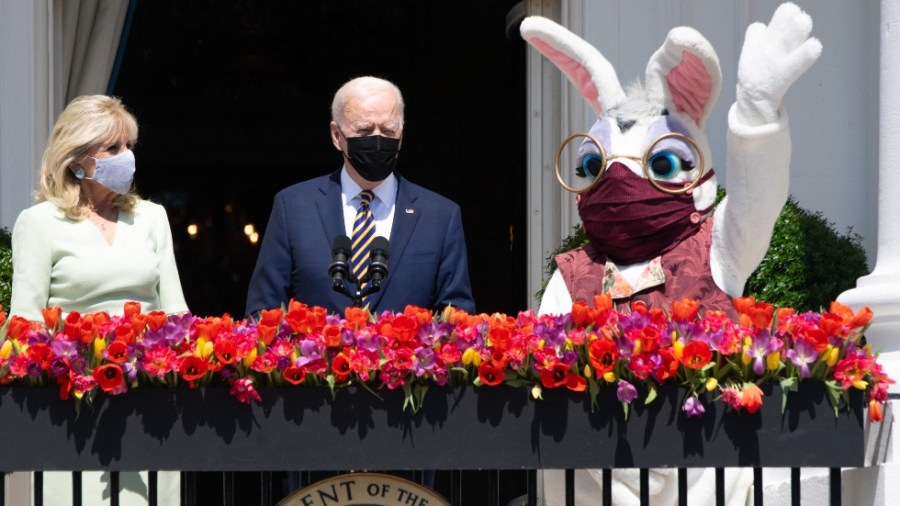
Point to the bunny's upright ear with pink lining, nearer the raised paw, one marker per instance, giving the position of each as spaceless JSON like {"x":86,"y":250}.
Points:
{"x":684,"y":74}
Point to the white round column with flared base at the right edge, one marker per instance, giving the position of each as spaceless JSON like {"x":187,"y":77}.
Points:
{"x":880,"y":290}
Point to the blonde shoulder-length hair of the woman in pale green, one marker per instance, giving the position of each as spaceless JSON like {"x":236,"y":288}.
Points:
{"x":86,"y":123}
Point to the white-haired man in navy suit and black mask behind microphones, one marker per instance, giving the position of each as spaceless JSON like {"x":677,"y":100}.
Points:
{"x":427,"y":263}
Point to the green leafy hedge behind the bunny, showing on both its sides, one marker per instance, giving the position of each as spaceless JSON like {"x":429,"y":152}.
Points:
{"x":807,"y":266}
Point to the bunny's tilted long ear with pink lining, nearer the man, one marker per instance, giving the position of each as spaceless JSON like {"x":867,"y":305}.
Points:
{"x":585,"y":67}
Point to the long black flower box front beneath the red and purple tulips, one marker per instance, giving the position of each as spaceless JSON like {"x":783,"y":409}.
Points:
{"x":457,"y":428}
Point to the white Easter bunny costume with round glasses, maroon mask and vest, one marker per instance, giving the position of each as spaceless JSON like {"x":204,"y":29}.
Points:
{"x":648,"y":190}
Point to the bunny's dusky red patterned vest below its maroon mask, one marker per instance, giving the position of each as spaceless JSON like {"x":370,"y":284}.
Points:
{"x":686,"y":268}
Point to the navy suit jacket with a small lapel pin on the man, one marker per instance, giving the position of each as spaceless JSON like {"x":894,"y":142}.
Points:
{"x":427,"y":264}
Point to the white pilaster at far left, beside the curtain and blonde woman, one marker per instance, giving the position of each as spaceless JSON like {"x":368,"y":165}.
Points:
{"x":26,"y":67}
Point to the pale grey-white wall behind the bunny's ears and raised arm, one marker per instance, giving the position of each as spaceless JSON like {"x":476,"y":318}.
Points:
{"x":833,"y":108}
